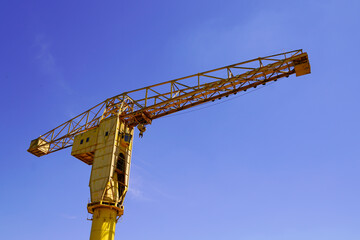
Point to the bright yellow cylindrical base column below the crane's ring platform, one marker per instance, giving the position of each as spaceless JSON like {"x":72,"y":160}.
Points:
{"x":103,"y":225}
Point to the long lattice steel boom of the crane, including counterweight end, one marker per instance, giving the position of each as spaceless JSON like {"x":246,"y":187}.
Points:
{"x":143,"y":105}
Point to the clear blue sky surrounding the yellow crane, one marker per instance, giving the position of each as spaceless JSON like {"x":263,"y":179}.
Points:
{"x":281,"y":163}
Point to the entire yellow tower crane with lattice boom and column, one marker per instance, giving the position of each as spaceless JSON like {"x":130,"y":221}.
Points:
{"x":103,"y":135}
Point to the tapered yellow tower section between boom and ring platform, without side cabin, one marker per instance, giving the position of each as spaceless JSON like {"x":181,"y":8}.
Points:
{"x":111,"y":165}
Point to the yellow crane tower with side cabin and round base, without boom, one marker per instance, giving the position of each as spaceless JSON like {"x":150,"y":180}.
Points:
{"x":108,"y":149}
